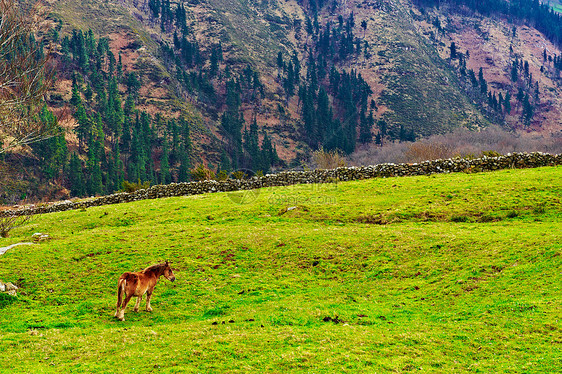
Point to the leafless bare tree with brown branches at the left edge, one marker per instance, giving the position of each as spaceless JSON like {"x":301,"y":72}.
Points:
{"x":25,"y":78}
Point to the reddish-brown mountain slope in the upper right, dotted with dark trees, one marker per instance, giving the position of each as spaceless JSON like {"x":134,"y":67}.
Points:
{"x":495,"y":45}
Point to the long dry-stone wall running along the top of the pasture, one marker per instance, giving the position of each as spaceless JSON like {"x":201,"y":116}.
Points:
{"x":515,"y":160}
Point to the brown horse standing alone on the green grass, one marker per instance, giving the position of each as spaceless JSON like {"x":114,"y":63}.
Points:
{"x":139,"y":283}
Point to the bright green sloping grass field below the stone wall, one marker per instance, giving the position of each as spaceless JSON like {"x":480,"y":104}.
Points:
{"x":444,"y":273}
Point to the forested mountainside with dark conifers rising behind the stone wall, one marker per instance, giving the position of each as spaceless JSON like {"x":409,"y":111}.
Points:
{"x":158,"y":91}
